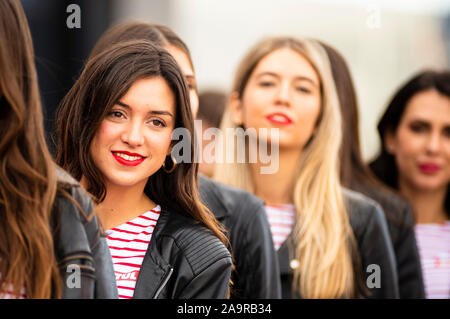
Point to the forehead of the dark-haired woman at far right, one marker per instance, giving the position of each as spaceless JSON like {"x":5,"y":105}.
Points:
{"x":429,"y":105}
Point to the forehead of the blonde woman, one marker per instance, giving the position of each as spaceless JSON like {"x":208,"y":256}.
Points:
{"x":286,"y":62}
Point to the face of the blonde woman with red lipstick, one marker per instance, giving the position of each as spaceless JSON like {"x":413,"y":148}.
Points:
{"x":282,"y":92}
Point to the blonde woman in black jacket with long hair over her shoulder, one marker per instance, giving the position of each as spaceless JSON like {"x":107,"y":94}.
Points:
{"x":331,"y":242}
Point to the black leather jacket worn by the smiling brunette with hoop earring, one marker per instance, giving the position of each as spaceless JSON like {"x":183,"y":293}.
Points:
{"x":184,"y":260}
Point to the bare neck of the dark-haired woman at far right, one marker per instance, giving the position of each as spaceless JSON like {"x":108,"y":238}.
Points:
{"x":428,"y":206}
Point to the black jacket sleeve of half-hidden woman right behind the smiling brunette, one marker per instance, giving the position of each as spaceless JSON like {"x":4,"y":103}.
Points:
{"x":257,"y":271}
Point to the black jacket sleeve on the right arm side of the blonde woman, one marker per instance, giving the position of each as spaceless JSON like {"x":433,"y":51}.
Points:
{"x":378,"y":259}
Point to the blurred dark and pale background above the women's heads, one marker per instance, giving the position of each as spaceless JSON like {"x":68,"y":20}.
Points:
{"x":384,"y":42}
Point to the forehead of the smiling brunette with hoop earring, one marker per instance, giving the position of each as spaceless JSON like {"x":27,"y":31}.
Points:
{"x":150,"y":94}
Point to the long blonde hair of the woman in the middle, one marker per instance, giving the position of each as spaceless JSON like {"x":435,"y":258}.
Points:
{"x":325,"y":245}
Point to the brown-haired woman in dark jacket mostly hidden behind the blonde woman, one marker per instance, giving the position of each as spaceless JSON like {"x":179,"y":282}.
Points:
{"x":356,"y":175}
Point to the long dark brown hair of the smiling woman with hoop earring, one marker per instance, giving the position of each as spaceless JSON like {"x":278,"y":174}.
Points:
{"x":105,"y":79}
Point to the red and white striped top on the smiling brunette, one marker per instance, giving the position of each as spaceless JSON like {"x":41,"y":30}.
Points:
{"x":128,"y":244}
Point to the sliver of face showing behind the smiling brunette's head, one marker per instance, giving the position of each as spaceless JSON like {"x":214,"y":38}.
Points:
{"x":185,"y":65}
